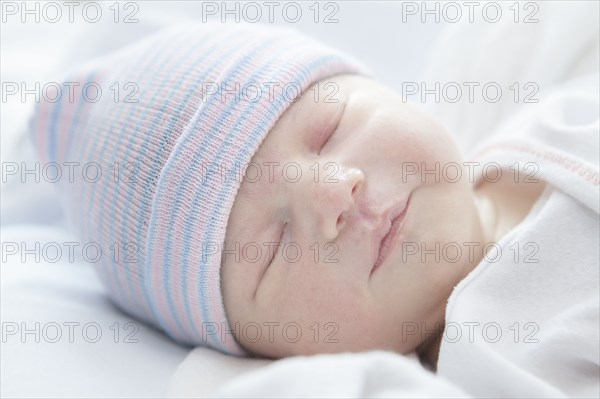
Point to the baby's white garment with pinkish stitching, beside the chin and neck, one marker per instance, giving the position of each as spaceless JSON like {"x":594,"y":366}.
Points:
{"x":525,"y":321}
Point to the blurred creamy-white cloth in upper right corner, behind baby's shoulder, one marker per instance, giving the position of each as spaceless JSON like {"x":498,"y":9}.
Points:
{"x":562,"y":45}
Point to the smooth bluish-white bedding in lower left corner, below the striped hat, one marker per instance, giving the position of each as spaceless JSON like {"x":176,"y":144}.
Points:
{"x":62,"y":338}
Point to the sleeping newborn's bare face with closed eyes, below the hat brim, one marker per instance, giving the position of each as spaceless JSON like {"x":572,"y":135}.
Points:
{"x":308,"y":221}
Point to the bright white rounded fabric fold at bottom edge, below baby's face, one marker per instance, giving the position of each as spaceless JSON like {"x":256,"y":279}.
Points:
{"x":375,"y":374}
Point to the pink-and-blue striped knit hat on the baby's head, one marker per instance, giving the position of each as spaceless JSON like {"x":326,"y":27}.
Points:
{"x":157,"y":135}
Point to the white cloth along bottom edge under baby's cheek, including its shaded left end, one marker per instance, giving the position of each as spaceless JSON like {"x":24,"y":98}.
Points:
{"x":345,"y":375}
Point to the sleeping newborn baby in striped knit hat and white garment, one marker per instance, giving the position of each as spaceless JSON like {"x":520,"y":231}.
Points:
{"x":262,"y":194}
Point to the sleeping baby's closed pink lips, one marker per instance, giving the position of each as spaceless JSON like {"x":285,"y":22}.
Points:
{"x":392,"y":217}
